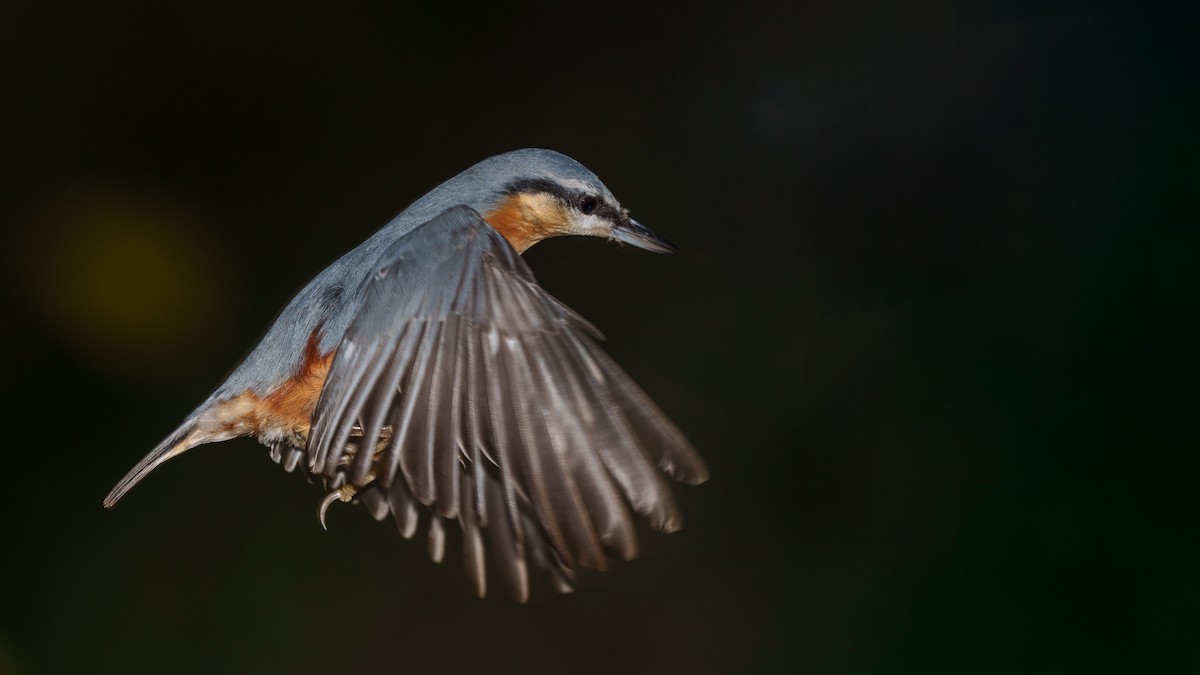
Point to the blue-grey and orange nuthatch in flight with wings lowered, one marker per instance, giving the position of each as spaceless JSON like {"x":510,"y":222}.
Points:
{"x":428,"y":377}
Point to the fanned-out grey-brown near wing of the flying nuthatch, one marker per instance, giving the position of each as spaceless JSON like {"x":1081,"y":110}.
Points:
{"x":463,"y":391}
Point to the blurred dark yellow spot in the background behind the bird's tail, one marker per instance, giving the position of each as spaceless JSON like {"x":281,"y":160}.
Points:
{"x":124,"y":277}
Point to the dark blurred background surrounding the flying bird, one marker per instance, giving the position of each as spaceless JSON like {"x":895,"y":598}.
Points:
{"x":932,"y":328}
